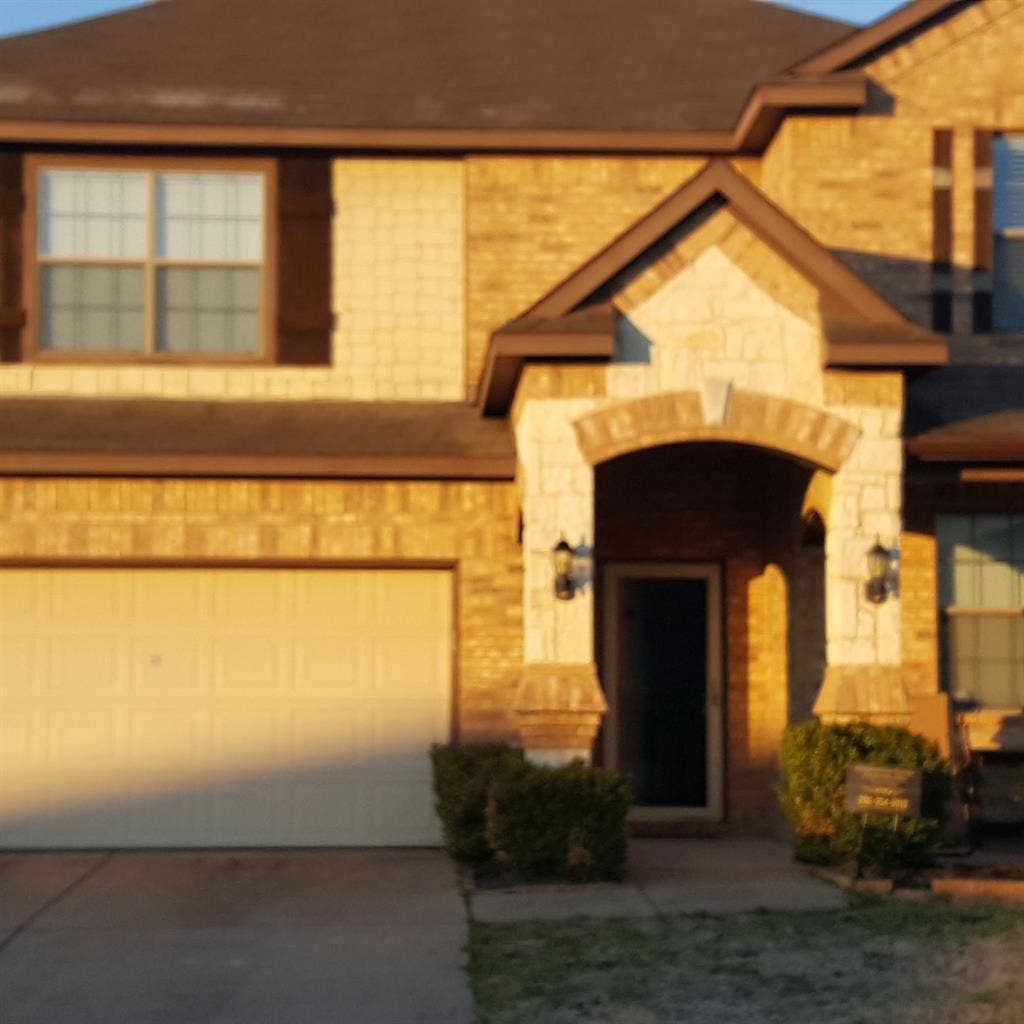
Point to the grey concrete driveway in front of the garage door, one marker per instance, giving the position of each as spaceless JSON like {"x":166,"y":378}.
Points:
{"x":352,"y":937}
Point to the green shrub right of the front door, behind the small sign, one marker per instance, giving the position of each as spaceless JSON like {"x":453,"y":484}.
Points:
{"x":816,"y":758}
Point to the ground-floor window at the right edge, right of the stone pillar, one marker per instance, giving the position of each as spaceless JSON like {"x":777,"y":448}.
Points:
{"x":982,"y":583}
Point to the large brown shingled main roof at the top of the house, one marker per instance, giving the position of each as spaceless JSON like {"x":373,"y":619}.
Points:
{"x":494,"y":65}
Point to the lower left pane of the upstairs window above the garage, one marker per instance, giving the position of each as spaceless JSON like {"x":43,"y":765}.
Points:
{"x":92,"y":309}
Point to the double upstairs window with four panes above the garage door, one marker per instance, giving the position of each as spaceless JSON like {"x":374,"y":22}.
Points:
{"x":151,"y":263}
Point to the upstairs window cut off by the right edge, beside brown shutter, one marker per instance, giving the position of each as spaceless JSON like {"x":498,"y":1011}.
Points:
{"x":1008,"y":226}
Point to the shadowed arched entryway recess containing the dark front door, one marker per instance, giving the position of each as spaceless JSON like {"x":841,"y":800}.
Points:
{"x":709,"y":624}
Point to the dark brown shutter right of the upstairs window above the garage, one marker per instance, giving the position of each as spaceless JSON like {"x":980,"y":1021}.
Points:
{"x":304,"y":273}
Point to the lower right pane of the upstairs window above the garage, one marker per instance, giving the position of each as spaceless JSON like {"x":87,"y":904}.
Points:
{"x":208,"y":310}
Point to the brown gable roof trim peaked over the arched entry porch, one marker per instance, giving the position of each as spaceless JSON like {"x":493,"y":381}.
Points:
{"x":861,"y":328}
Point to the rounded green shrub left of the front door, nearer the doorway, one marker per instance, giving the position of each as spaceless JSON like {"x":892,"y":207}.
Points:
{"x":568,"y":822}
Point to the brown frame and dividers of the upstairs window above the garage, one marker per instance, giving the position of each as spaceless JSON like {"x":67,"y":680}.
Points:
{"x":37,"y":163}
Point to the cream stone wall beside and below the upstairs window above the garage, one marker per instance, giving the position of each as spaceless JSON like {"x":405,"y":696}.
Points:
{"x":399,"y":286}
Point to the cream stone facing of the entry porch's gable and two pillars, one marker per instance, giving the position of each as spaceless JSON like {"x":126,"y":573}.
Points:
{"x":717,"y":321}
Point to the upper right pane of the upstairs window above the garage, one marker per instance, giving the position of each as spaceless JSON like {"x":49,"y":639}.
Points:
{"x":210,"y":217}
